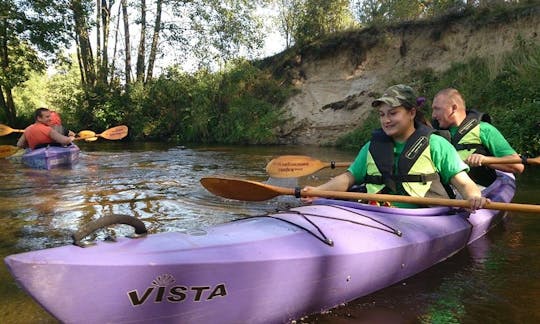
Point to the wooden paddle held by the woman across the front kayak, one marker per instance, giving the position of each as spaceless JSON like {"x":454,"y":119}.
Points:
{"x":255,"y":191}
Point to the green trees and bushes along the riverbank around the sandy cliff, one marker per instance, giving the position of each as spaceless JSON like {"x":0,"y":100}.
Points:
{"x":231,"y":97}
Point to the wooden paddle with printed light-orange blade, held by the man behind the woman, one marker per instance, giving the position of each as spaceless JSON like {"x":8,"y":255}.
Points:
{"x":294,"y":166}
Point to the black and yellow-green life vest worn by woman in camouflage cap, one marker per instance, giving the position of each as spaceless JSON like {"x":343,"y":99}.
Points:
{"x":415,"y":171}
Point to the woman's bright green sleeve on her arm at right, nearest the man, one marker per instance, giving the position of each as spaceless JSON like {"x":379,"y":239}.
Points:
{"x":445,"y":158}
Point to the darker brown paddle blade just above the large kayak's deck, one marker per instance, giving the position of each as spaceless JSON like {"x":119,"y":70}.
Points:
{"x":242,"y":189}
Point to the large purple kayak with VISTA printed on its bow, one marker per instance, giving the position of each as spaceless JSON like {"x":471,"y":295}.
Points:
{"x":265,"y":269}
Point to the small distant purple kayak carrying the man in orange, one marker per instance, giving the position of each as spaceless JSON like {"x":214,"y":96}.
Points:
{"x":51,"y":157}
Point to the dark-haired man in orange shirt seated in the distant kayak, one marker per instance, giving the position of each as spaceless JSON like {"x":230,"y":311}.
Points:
{"x":41,"y":133}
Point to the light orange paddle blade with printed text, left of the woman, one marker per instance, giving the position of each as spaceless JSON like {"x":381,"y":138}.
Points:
{"x":294,"y":166}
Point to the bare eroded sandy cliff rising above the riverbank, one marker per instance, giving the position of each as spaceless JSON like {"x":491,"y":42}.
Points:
{"x":337,"y":83}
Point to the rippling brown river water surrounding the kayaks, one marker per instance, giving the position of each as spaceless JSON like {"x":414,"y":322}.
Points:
{"x":495,"y":280}
